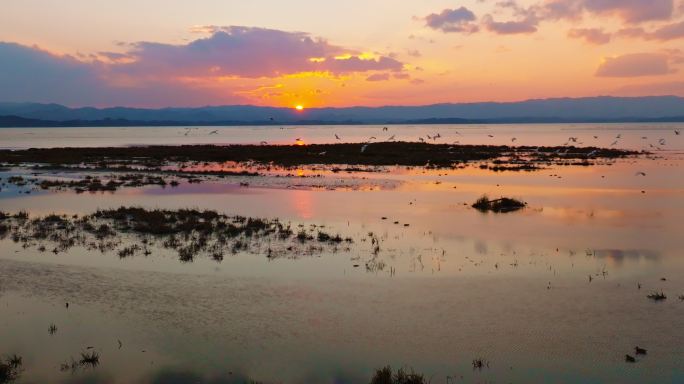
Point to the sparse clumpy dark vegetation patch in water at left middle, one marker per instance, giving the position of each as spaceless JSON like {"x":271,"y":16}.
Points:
{"x":131,"y":231}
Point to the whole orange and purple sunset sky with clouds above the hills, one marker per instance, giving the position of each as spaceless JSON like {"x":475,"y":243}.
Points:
{"x":317,"y":53}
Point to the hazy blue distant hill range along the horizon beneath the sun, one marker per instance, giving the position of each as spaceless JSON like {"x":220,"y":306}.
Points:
{"x":593,"y":109}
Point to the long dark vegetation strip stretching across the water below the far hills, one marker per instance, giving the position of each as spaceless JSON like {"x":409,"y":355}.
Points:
{"x":380,"y":154}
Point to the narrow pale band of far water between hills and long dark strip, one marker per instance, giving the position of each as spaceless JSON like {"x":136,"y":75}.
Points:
{"x":632,"y":135}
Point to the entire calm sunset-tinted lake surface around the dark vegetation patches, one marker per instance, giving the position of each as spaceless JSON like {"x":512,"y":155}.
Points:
{"x":454,"y":285}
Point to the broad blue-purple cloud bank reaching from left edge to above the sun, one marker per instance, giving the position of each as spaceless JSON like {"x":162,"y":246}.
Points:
{"x":179,"y":74}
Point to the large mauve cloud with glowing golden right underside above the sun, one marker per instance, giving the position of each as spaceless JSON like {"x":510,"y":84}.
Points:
{"x":249,"y":53}
